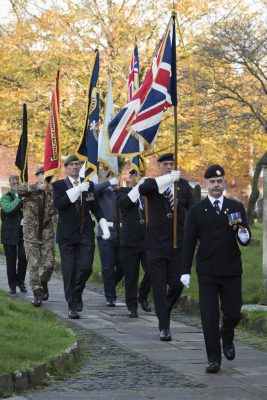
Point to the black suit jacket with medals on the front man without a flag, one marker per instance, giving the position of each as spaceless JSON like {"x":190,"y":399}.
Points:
{"x":218,"y":252}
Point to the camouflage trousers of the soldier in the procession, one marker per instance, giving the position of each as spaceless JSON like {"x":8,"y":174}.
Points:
{"x":41,"y":261}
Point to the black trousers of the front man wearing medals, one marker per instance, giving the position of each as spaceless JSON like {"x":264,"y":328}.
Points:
{"x":228,"y":291}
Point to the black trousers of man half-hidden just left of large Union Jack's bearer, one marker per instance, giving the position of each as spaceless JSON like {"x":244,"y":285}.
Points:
{"x":131,"y":257}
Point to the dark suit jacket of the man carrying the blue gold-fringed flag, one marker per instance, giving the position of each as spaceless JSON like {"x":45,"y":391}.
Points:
{"x":68,"y":227}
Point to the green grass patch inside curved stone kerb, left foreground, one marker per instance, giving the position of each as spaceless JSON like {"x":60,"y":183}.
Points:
{"x":29,"y":336}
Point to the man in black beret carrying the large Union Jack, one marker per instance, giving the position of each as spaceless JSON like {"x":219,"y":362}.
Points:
{"x":163,"y":261}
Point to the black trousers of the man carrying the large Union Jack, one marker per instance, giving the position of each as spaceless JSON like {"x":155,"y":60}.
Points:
{"x":164,"y":271}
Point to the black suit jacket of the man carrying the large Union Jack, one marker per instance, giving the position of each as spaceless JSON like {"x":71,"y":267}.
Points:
{"x":160,"y":227}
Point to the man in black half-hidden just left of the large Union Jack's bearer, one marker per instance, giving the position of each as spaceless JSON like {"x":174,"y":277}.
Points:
{"x":133,"y":252}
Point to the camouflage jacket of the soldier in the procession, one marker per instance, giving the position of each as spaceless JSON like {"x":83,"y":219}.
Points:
{"x":38,"y":213}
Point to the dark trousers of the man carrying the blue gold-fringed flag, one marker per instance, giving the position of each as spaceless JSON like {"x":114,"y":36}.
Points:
{"x":76,"y":264}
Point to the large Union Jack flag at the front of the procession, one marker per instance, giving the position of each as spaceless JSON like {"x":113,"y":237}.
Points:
{"x":139,"y":120}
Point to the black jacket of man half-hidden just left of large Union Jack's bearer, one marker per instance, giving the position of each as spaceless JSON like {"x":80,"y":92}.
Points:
{"x":132,"y":230}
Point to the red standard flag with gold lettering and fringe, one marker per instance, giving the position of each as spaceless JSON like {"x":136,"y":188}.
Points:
{"x":52,"y":147}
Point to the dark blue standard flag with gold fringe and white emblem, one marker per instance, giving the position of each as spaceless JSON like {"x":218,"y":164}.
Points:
{"x":88,"y":147}
